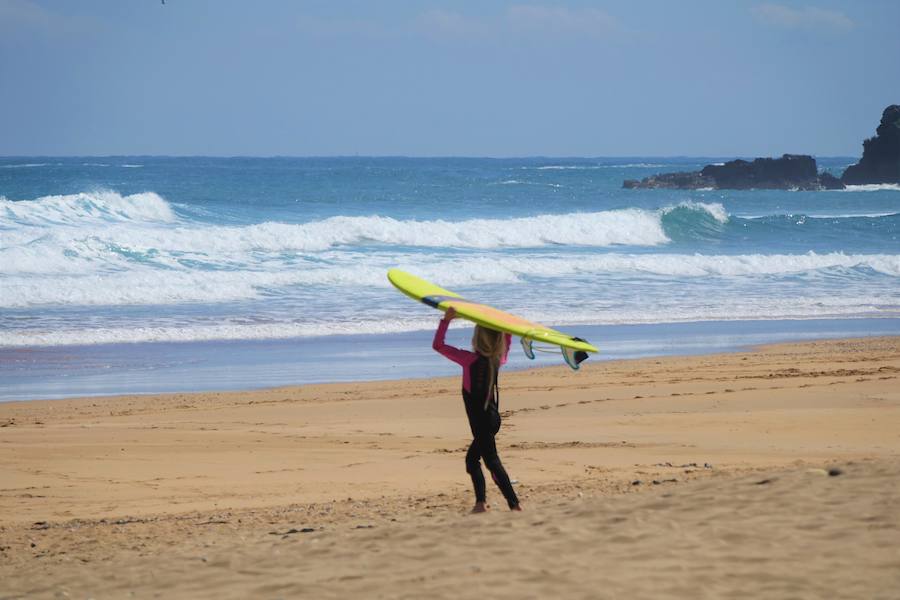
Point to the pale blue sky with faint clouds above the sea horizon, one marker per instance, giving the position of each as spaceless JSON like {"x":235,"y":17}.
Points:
{"x":463,"y":78}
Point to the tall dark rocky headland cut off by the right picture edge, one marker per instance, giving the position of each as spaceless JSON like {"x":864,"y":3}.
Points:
{"x":880,"y":162}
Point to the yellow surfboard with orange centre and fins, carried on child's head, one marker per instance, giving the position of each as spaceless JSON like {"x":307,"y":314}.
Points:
{"x":575,"y":350}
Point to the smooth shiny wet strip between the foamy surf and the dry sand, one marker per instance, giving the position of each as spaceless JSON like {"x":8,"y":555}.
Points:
{"x":253,"y":365}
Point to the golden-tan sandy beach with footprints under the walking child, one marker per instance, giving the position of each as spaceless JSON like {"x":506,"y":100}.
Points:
{"x":359,"y":490}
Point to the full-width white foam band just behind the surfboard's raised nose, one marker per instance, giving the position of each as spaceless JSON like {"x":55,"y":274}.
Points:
{"x":150,"y":285}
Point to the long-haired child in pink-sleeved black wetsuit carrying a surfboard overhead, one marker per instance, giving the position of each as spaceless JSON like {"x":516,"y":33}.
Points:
{"x":480,"y":369}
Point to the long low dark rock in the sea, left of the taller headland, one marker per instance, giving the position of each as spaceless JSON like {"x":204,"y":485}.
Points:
{"x":791,"y":171}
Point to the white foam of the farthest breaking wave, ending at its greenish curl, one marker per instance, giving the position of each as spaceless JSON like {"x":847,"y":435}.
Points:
{"x":81,"y":225}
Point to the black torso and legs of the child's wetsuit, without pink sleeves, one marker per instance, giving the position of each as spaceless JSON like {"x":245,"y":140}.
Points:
{"x":484,"y":419}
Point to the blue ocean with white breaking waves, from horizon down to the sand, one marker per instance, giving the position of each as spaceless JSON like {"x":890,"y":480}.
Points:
{"x":148,"y":274}
